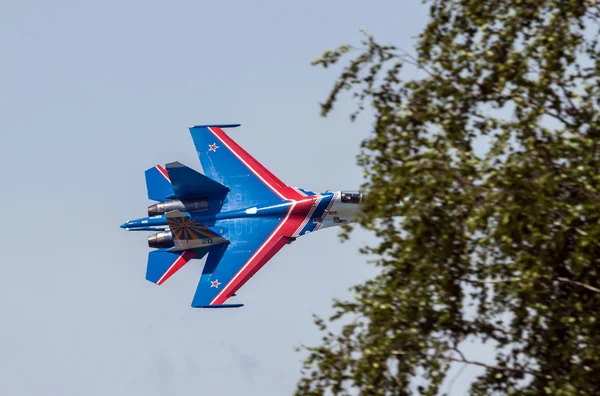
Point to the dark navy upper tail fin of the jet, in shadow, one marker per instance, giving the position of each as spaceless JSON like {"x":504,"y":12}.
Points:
{"x":188,"y":183}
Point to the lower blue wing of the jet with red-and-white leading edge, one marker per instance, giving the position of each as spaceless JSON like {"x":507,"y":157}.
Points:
{"x":252,"y":243}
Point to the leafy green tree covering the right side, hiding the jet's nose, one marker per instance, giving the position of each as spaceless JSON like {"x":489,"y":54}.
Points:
{"x":502,"y":244}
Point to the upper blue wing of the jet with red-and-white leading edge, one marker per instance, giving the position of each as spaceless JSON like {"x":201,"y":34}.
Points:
{"x":226,"y":162}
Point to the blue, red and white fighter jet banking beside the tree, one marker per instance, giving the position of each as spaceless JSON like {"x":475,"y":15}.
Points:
{"x":237,"y":212}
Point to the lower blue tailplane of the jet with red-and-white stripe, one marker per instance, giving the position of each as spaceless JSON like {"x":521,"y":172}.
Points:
{"x":163,"y":264}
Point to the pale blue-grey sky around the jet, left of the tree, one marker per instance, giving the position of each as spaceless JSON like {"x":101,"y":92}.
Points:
{"x":94,"y":93}
